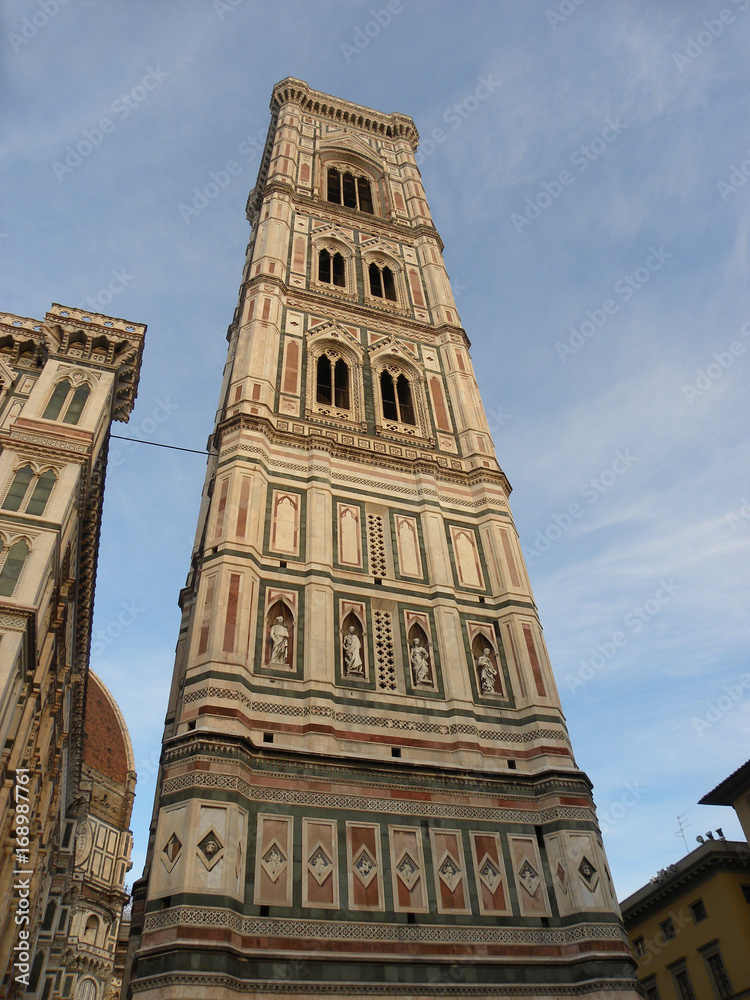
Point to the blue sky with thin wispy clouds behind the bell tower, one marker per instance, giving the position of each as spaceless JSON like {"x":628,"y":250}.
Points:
{"x":593,"y":204}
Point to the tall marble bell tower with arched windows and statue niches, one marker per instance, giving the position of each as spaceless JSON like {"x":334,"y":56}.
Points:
{"x":366,"y":786}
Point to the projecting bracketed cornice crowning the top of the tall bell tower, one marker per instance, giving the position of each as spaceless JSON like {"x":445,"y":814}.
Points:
{"x":385,"y":126}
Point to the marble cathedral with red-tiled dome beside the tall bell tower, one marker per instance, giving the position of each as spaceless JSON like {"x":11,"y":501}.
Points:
{"x":66,"y":762}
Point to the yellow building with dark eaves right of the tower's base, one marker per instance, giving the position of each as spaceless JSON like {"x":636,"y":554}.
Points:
{"x":690,"y":926}
